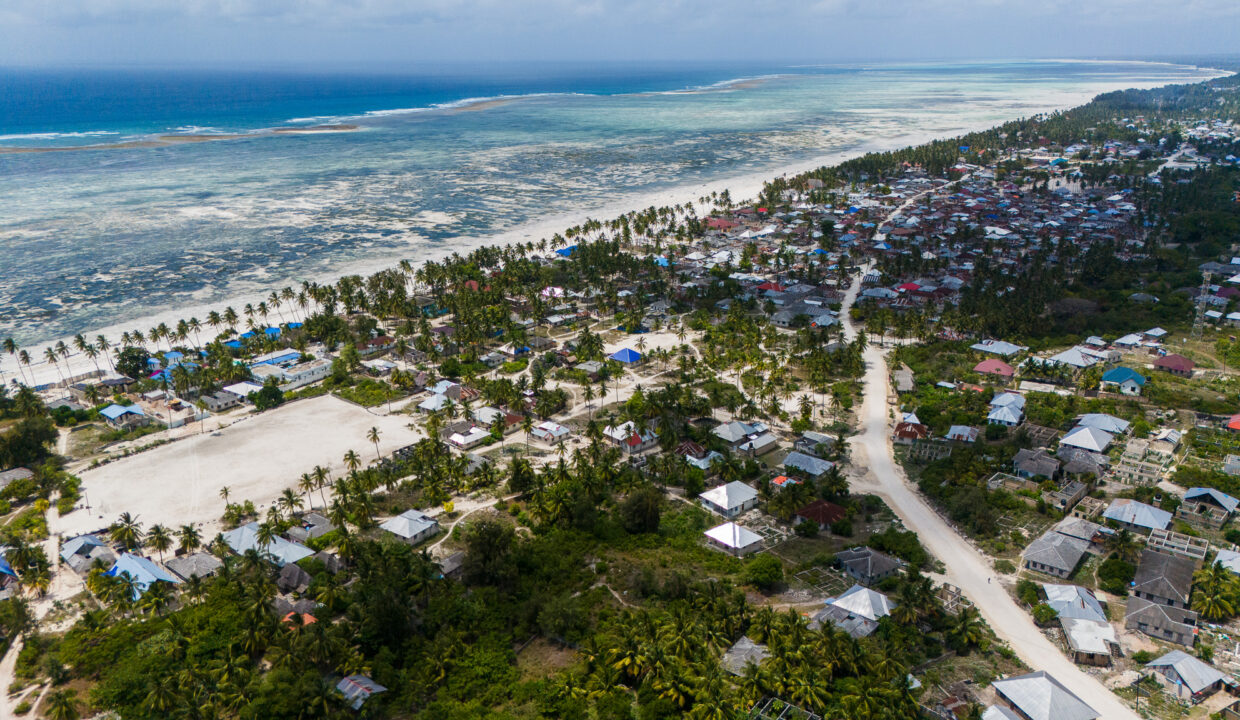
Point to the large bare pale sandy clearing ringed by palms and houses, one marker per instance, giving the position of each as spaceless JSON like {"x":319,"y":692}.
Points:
{"x":257,"y":459}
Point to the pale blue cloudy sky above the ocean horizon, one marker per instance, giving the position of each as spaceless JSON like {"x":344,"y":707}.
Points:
{"x":411,"y":34}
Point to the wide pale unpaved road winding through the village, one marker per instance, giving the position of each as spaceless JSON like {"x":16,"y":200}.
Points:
{"x":967,"y":568}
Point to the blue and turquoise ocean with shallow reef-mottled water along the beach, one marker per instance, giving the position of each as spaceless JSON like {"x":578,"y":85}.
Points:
{"x":111,"y":222}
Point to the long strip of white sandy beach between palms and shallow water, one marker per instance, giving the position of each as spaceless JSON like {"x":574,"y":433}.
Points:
{"x":741,"y":188}
